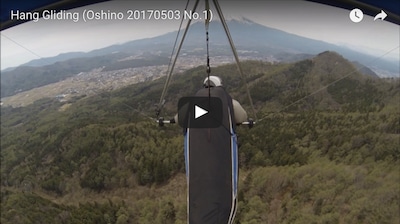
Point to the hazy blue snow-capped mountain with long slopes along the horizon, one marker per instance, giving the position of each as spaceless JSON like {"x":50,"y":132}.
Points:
{"x":247,"y":35}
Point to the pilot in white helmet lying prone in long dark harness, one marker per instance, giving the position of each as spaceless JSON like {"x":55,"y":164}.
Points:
{"x":211,"y":159}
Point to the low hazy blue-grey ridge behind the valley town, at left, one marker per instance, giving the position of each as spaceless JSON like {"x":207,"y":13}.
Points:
{"x":24,"y":78}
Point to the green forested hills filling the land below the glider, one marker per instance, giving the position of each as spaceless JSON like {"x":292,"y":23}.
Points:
{"x":325,"y":149}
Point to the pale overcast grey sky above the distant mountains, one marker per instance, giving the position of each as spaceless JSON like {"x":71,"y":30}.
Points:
{"x":50,"y":37}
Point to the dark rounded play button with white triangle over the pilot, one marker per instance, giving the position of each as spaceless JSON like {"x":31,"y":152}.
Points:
{"x":200,"y":112}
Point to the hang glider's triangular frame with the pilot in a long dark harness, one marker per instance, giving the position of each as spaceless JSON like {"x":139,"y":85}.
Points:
{"x":211,"y":153}
